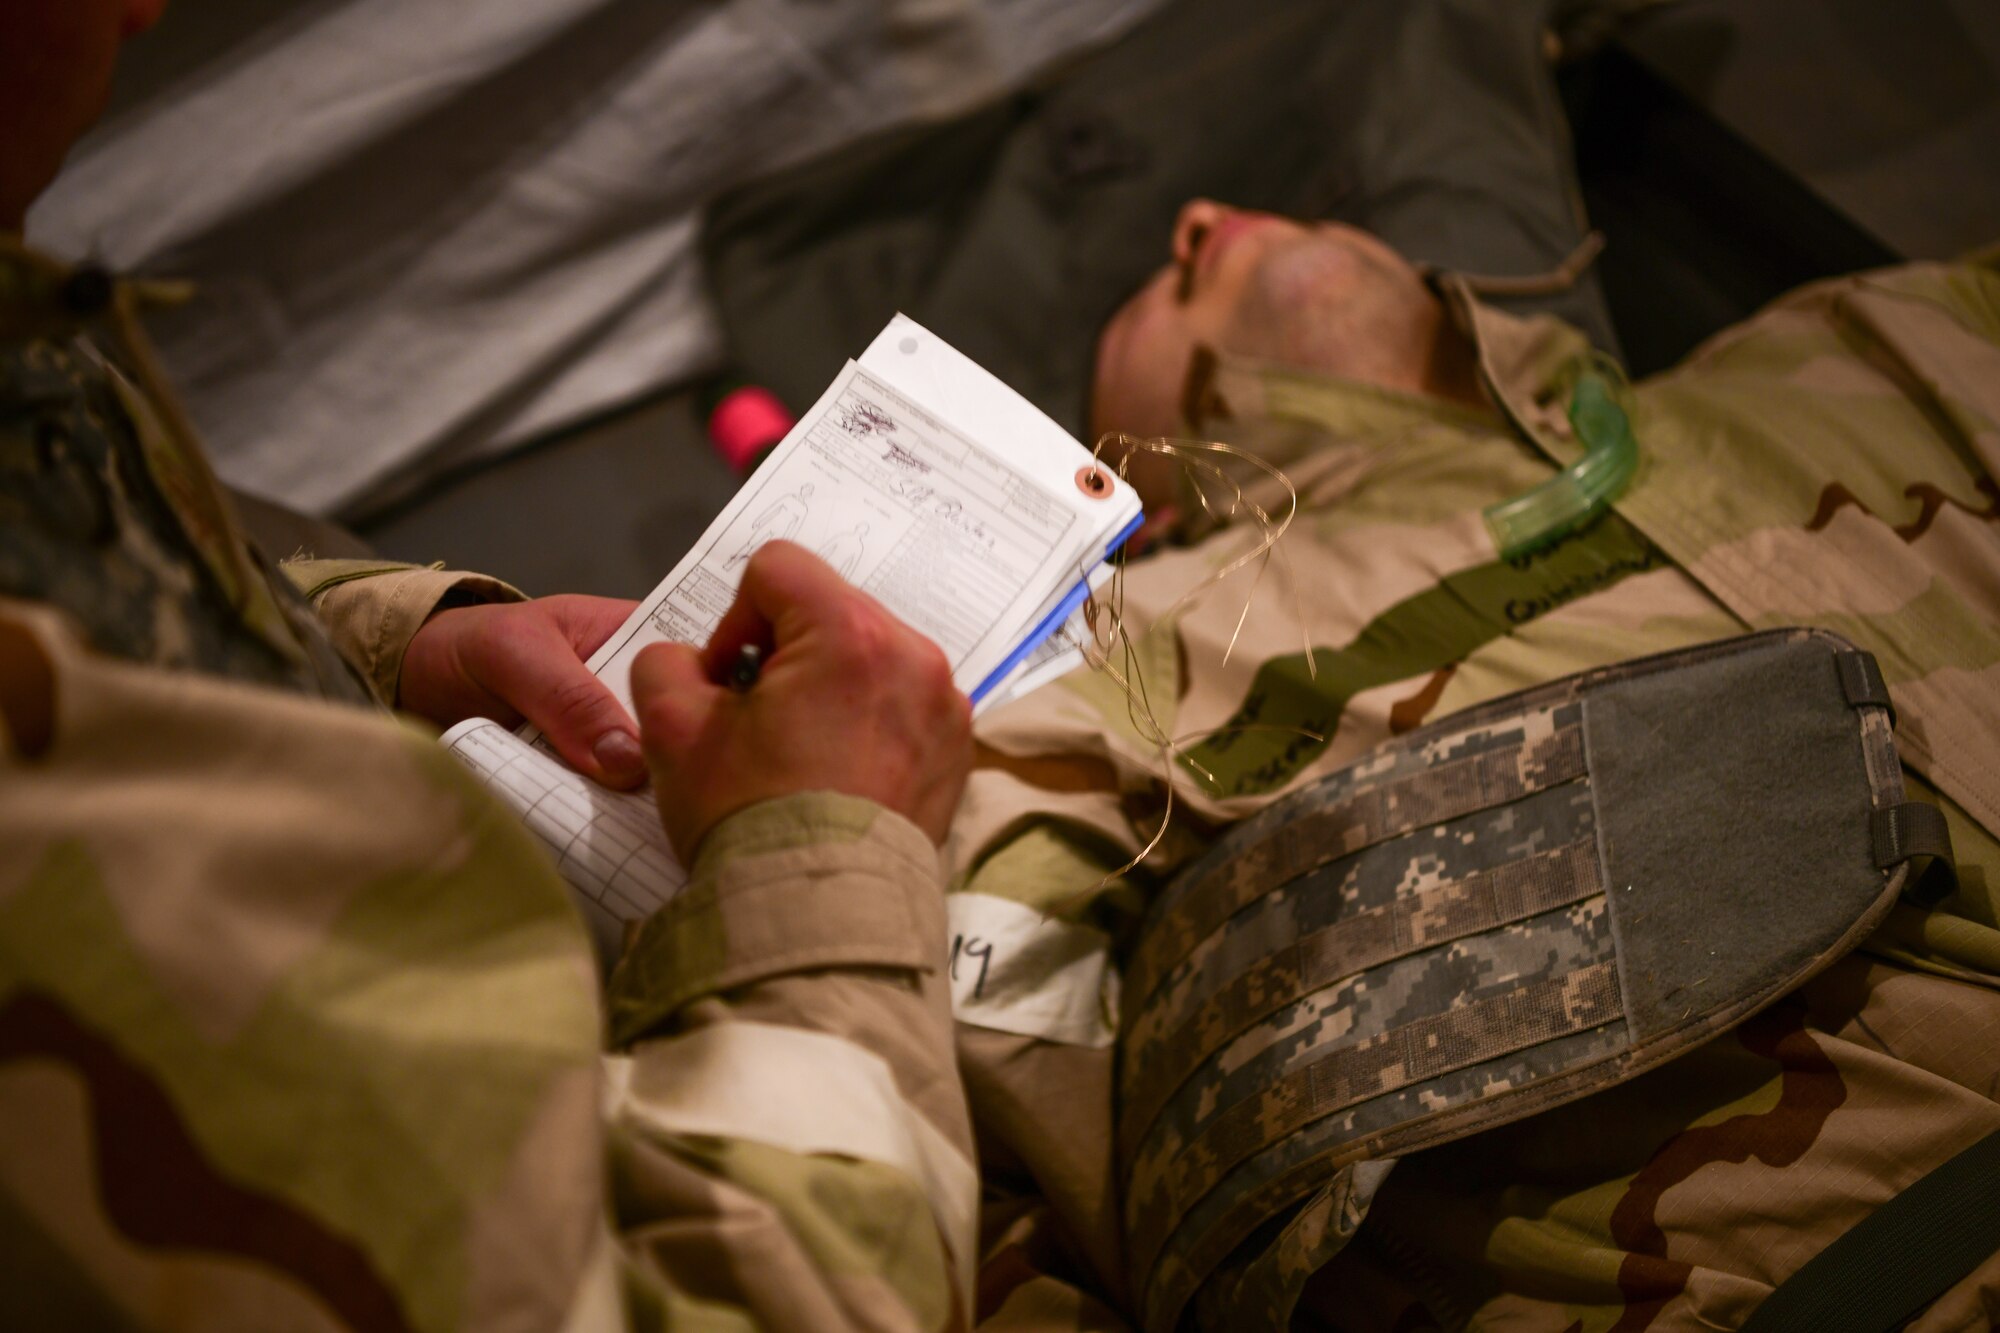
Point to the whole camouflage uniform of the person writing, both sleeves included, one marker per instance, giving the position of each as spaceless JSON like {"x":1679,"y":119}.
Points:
{"x":299,"y":1028}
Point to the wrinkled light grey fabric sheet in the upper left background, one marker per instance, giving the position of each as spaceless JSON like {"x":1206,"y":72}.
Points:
{"x":427,"y":231}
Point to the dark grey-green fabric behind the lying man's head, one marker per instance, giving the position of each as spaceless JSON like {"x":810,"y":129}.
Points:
{"x":1019,"y":229}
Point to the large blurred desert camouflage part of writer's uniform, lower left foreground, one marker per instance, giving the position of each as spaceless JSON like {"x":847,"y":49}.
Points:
{"x":297,"y":1024}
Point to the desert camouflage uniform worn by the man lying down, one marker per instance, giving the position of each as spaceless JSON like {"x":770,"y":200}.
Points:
{"x":1829,"y":463}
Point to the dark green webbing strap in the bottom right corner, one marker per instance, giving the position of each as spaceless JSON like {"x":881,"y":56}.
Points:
{"x":1901,"y":1258}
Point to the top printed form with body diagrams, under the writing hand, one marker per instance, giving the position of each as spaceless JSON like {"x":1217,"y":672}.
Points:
{"x":945,"y":533}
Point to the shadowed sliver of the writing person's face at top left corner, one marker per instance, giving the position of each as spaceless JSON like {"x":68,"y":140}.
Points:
{"x":55,"y":73}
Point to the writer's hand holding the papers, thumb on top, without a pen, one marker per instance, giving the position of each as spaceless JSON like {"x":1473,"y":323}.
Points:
{"x":515,"y":661}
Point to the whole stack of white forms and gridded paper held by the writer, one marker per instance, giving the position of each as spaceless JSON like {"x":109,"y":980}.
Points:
{"x":921,"y":479}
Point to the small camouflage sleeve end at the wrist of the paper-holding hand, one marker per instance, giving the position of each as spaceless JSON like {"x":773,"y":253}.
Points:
{"x":375,"y":607}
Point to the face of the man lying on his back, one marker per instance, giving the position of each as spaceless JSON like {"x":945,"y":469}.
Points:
{"x":1323,"y":297}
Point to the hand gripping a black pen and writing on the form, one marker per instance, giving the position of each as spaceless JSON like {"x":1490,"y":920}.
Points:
{"x":851,"y":700}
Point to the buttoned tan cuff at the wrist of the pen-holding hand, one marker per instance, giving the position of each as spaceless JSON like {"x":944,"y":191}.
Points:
{"x":801,"y":884}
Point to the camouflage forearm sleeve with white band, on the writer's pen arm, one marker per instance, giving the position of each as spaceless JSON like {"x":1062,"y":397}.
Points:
{"x":789,"y":1138}
